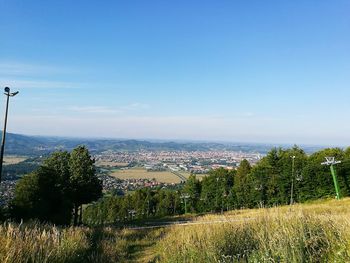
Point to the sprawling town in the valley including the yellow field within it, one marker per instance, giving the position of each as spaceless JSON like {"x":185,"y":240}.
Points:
{"x":180,"y":164}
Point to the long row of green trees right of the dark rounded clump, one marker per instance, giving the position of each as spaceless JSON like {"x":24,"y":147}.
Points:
{"x":267,"y":183}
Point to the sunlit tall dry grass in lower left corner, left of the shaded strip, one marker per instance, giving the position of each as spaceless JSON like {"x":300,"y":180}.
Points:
{"x":41,"y":243}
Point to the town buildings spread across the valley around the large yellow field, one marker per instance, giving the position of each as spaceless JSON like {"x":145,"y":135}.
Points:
{"x":197,"y":162}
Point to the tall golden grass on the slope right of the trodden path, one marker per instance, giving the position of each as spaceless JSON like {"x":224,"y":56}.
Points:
{"x":316,"y":232}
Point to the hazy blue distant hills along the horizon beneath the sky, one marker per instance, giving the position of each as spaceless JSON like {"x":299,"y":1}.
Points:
{"x":37,"y":145}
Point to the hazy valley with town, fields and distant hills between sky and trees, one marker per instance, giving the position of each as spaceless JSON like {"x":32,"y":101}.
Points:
{"x":127,"y":165}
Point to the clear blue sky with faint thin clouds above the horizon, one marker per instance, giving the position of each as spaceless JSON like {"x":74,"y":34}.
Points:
{"x":249,"y":71}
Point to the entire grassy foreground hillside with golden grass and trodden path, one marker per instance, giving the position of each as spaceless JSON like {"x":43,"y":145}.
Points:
{"x":315,"y":232}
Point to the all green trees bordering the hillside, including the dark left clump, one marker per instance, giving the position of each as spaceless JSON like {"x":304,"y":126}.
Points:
{"x":58,"y":189}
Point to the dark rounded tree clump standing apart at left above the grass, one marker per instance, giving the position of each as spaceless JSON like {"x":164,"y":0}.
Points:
{"x":64,"y":181}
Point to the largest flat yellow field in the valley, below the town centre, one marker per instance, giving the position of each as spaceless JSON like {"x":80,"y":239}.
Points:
{"x":141,"y":173}
